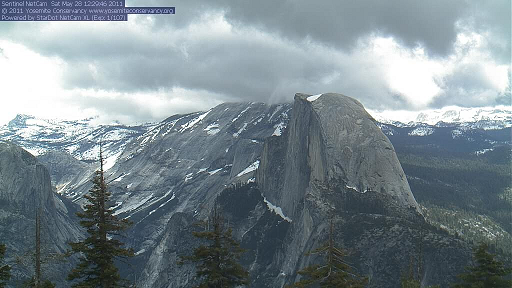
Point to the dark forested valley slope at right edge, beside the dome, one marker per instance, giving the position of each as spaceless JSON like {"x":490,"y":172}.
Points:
{"x":468,"y":195}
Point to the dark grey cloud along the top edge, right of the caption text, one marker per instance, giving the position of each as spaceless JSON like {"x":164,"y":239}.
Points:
{"x":341,"y":23}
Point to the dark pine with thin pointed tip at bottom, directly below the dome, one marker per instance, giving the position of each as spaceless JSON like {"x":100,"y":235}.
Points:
{"x":335,"y":273}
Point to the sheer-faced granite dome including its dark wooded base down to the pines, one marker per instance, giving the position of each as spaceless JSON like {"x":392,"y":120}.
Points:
{"x":333,"y":162}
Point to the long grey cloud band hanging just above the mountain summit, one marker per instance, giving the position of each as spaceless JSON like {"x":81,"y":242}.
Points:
{"x":236,"y":68}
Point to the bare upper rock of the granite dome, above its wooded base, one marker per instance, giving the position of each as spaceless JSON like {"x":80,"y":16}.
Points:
{"x":332,"y":140}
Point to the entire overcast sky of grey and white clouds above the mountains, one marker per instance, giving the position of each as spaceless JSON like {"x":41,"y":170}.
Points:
{"x":398,"y":54}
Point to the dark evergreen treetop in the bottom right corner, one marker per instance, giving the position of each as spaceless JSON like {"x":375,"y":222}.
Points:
{"x":487,"y":273}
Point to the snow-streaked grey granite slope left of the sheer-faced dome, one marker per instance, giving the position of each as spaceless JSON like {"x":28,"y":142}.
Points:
{"x":168,"y":178}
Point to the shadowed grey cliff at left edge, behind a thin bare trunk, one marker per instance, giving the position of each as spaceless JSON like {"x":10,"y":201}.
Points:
{"x":24,"y":188}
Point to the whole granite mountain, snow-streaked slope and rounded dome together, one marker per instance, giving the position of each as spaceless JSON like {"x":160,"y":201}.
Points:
{"x":169,"y":176}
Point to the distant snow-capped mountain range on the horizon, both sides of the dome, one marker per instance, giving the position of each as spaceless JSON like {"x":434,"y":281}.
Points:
{"x":81,"y":138}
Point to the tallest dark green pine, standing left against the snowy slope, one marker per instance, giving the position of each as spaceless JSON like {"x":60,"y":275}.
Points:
{"x":99,"y":250}
